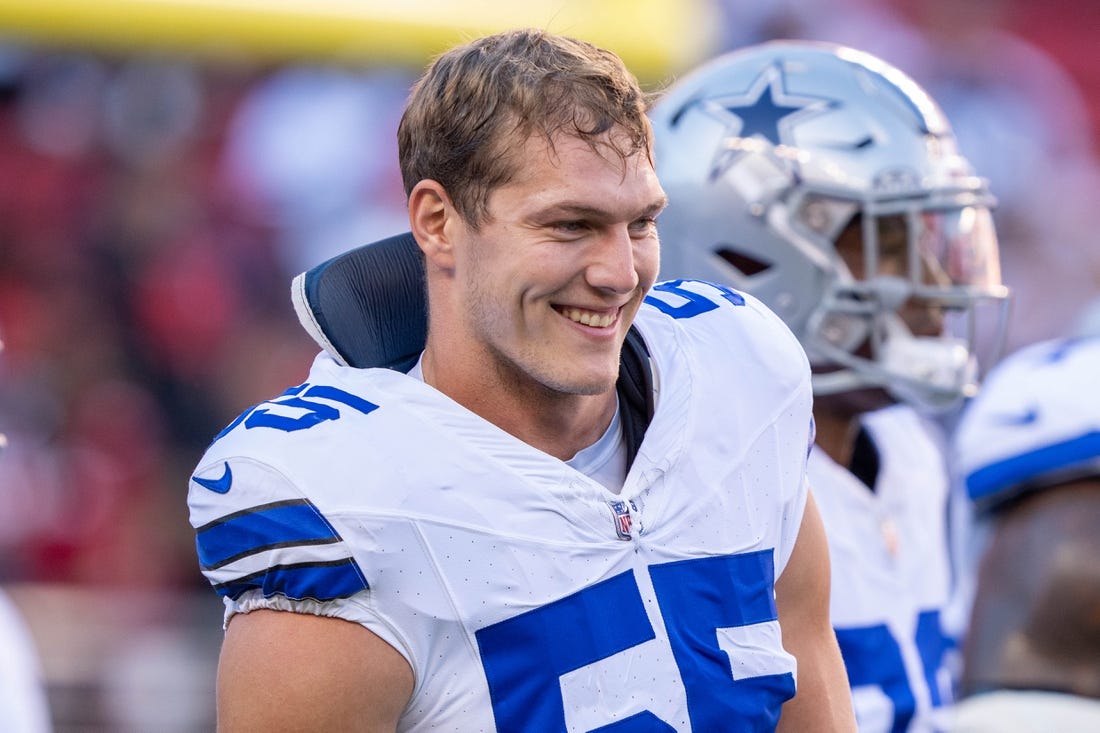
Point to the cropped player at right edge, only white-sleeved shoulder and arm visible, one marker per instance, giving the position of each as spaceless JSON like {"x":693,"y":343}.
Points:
{"x":1029,"y":452}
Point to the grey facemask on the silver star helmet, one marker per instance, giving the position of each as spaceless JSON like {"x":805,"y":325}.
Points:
{"x":903,"y":311}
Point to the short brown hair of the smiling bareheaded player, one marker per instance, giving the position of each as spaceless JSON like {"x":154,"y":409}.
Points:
{"x":477,"y":104}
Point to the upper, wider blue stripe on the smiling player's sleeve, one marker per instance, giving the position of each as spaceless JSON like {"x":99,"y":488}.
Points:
{"x":281,"y":524}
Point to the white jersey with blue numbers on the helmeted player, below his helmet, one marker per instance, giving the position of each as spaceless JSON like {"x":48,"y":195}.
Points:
{"x":892,"y":572}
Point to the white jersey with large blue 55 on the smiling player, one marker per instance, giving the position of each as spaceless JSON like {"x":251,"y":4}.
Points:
{"x":526,"y":596}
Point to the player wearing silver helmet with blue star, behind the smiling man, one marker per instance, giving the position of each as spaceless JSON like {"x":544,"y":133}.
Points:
{"x":828,"y":184}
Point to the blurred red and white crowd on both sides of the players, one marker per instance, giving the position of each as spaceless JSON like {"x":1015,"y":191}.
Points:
{"x":155,"y":210}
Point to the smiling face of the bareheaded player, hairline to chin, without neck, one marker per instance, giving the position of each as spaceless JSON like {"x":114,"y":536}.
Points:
{"x":553,"y":279}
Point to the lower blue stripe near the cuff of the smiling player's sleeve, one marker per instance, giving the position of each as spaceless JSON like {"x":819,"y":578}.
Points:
{"x":320,"y":582}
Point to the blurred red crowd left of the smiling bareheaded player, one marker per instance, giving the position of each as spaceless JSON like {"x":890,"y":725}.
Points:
{"x":151,"y":216}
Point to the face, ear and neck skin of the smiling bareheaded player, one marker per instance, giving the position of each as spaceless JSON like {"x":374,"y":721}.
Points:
{"x":534,"y":303}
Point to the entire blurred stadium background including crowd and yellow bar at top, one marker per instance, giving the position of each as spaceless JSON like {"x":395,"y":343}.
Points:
{"x":167,"y":167}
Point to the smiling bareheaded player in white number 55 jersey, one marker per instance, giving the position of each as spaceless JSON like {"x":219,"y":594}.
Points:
{"x":415,"y":552}
